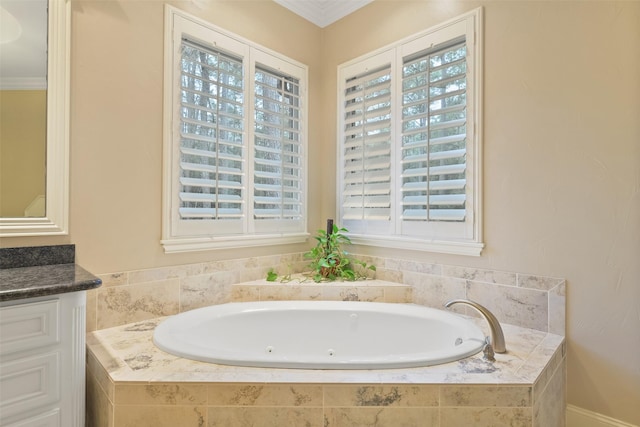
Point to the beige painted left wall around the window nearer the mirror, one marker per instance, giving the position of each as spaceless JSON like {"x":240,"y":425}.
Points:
{"x":116,"y":110}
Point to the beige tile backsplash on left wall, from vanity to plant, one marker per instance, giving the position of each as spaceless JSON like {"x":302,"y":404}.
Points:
{"x":131,"y":296}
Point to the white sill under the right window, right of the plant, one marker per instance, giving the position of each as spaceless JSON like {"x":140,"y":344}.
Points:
{"x":436,"y":246}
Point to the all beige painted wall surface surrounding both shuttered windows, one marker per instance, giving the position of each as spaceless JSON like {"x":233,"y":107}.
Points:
{"x":561,"y":154}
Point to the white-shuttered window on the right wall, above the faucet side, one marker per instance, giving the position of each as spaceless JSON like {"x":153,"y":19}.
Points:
{"x":409,"y":142}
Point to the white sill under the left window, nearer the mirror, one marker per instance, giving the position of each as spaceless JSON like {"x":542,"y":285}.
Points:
{"x":193,"y":244}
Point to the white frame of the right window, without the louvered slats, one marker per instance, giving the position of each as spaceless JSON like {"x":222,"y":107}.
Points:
{"x":451,"y":238}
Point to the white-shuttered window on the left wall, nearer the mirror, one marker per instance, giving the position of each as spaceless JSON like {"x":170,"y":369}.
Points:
{"x":235,"y":135}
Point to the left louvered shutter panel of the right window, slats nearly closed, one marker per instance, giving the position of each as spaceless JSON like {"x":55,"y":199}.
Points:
{"x":366,"y":191}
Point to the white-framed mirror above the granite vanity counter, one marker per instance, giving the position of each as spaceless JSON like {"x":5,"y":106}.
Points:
{"x":37,"y":171}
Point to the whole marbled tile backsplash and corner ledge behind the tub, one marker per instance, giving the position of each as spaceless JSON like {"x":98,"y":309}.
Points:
{"x":525,"y":300}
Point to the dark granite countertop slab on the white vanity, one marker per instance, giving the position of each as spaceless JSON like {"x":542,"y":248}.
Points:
{"x":42,"y":280}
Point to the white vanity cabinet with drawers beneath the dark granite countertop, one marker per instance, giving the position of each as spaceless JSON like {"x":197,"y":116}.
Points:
{"x":42,"y":361}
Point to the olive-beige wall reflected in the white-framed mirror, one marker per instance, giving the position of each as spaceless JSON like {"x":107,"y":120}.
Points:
{"x":23,"y":131}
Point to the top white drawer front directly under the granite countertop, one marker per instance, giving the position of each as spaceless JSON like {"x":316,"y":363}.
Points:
{"x":27,"y":326}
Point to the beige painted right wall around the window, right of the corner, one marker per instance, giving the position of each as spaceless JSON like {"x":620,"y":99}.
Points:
{"x":561,"y":164}
